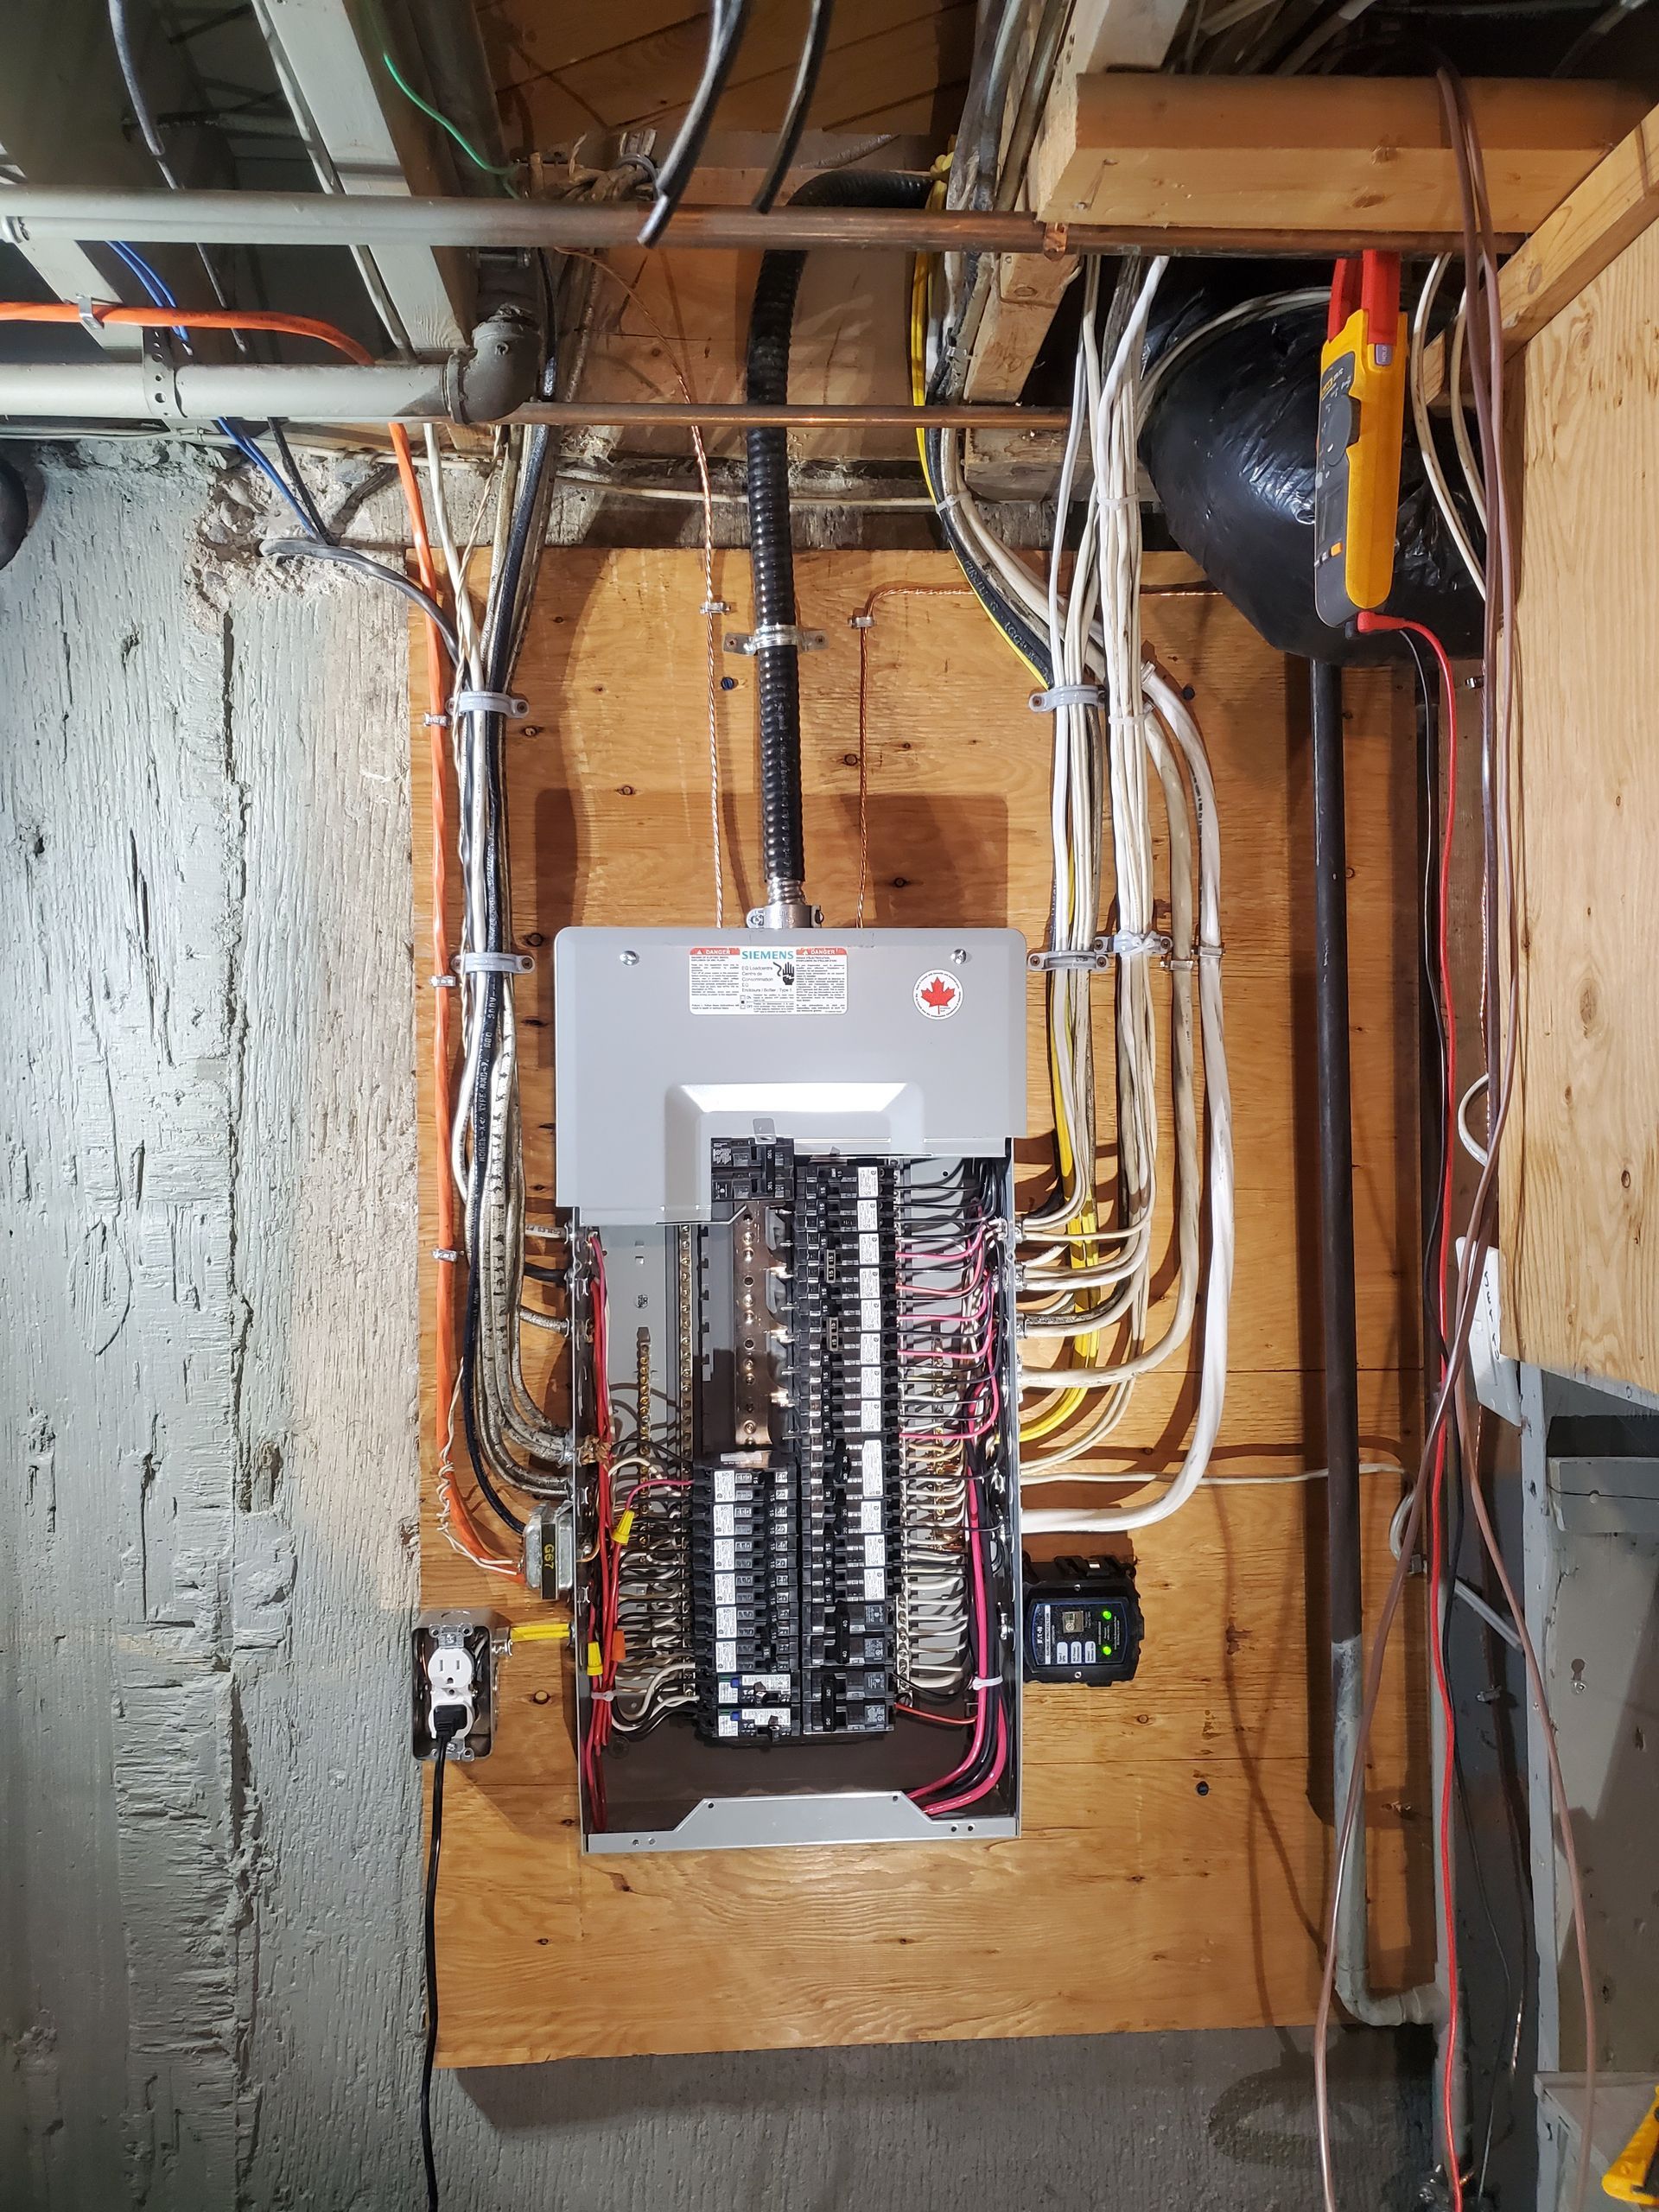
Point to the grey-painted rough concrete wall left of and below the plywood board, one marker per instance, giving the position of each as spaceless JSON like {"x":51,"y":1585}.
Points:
{"x":209,"y":1819}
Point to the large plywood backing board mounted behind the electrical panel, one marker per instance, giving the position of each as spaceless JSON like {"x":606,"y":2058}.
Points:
{"x":1178,"y":1835}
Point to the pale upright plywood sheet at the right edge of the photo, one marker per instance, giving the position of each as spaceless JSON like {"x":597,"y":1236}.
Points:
{"x":1583,"y":1151}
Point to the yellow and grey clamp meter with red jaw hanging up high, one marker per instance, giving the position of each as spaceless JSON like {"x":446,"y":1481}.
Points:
{"x":1361,"y":421}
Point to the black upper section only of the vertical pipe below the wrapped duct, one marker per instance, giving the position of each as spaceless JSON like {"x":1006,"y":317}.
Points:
{"x":1335,"y":1158}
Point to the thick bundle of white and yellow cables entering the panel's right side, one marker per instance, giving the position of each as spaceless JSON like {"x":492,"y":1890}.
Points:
{"x":1123,"y":740}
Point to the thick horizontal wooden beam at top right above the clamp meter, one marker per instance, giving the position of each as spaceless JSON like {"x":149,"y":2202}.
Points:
{"x":1319,"y":154}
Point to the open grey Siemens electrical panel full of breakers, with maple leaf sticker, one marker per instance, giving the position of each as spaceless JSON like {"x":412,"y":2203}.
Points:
{"x":786,"y":1162}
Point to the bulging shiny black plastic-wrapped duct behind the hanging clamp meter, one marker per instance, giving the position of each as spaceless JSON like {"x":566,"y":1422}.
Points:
{"x":1229,"y":444}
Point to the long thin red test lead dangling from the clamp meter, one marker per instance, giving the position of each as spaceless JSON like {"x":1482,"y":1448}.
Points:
{"x":1437,"y":1490}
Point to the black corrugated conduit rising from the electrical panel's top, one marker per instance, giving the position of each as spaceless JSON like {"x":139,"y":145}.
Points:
{"x":771,"y":552}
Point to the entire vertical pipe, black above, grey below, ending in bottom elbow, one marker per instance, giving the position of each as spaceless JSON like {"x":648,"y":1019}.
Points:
{"x":1342,"y":1357}
